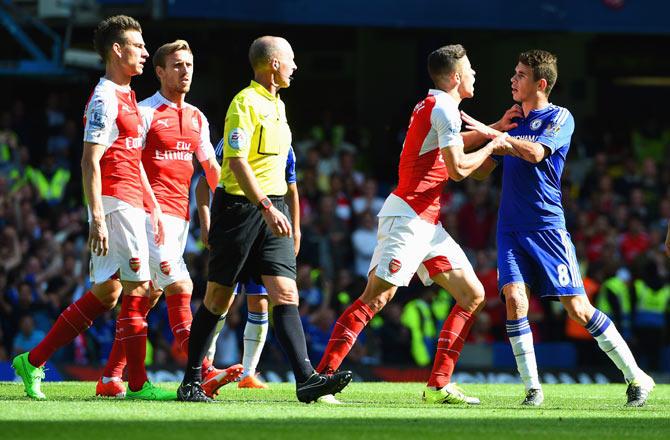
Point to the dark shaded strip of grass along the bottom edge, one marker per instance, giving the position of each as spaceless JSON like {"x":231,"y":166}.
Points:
{"x":256,"y":426}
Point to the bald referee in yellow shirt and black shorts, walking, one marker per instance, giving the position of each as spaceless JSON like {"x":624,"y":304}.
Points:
{"x":250,"y":234}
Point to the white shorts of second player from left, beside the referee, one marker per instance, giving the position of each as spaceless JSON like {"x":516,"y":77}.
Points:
{"x":166,"y":262}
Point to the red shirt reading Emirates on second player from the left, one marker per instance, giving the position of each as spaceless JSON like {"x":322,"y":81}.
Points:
{"x":173,"y":135}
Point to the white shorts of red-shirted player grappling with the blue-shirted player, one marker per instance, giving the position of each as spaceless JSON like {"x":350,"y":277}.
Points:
{"x":407,"y":245}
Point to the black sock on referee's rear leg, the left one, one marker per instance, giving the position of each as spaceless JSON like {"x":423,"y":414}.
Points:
{"x":202,"y":327}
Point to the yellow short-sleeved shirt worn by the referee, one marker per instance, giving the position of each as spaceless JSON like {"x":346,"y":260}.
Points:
{"x":256,"y":128}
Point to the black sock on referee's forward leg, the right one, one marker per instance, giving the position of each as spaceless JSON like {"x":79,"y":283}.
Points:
{"x":291,"y":336}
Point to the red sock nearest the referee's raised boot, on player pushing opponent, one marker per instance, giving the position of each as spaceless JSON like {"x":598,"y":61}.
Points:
{"x":346,"y":330}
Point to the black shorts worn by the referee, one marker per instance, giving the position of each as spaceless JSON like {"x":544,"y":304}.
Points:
{"x":242,"y":245}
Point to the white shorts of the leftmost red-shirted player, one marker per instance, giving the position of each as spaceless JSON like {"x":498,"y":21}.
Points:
{"x":128,"y":248}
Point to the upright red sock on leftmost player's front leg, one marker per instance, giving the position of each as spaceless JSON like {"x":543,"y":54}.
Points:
{"x":132,"y":332}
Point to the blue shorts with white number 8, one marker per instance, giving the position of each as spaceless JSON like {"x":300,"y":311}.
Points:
{"x":544,"y":260}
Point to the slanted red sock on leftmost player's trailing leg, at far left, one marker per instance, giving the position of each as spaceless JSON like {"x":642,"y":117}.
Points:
{"x":75,"y":319}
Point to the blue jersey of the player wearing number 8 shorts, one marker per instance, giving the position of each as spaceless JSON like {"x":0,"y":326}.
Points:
{"x":531,"y":193}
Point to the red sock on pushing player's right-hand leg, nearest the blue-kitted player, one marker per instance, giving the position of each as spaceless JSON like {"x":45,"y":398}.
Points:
{"x":452,"y":338}
